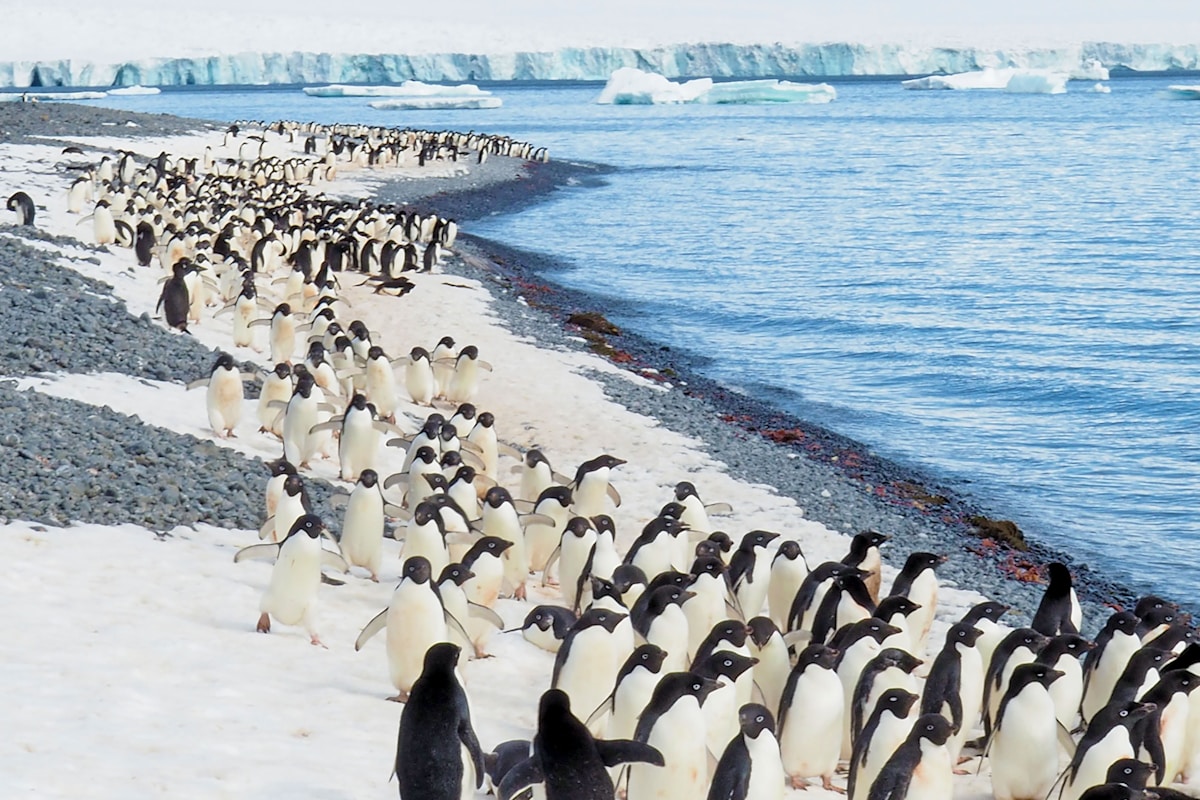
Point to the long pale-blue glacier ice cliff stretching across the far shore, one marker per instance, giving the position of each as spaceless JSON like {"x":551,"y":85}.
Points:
{"x":1087,"y":62}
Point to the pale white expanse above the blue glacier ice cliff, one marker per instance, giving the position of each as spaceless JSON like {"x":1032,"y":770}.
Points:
{"x":119,"y":31}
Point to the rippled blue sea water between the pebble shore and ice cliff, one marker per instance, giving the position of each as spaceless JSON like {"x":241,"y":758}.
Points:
{"x":1000,"y":290}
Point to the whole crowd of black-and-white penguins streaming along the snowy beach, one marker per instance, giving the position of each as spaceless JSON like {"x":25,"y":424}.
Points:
{"x":695,"y":664}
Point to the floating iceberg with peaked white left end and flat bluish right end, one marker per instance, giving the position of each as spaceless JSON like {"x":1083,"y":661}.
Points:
{"x":633,"y":87}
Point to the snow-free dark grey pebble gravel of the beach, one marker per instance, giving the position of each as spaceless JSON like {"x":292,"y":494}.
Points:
{"x":70,"y":461}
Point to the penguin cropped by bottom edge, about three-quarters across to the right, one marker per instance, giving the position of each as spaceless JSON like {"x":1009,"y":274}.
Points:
{"x":921,"y":768}
